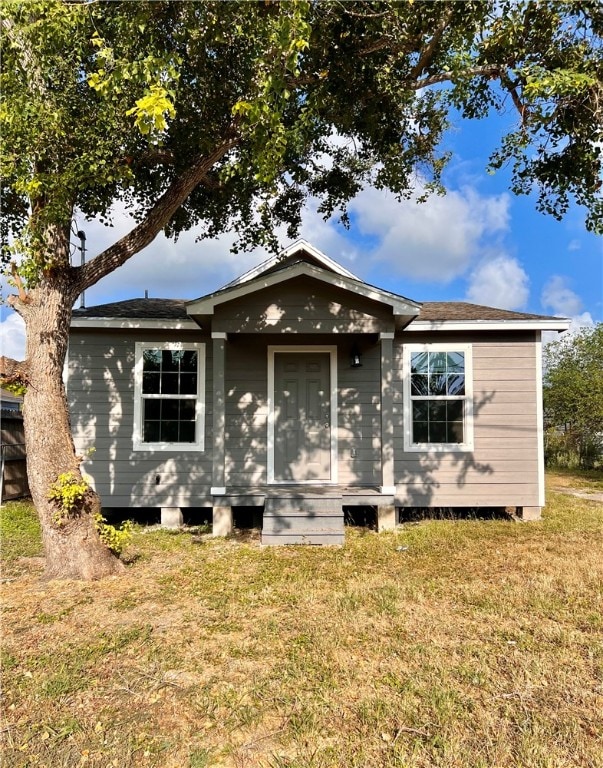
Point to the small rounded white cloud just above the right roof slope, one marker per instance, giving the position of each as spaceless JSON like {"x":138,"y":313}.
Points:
{"x":499,"y":282}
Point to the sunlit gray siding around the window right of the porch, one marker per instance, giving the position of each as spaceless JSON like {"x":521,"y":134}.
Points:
{"x":502,"y":470}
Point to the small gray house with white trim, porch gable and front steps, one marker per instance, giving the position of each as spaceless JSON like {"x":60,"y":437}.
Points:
{"x":300,"y":389}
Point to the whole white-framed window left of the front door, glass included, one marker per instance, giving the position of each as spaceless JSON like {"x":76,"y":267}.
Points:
{"x":169,"y":402}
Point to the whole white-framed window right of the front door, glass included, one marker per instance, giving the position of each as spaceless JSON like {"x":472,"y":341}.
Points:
{"x":438,"y":397}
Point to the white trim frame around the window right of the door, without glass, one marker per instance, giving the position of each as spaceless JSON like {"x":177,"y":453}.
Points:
{"x":431,"y":448}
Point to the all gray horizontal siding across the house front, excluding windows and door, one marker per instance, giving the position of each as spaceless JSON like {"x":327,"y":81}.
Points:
{"x":501,"y":471}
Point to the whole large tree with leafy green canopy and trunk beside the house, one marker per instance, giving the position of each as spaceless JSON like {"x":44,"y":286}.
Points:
{"x":229,"y":115}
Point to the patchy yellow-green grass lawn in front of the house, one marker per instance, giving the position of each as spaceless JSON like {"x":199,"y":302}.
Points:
{"x":449,"y":643}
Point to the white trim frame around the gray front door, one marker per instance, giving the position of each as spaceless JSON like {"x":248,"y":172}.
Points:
{"x":272,"y":350}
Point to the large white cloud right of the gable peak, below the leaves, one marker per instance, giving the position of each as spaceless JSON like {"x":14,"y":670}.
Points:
{"x":436,"y":240}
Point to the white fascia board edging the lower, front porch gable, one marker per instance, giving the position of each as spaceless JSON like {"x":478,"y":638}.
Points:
{"x":207,"y":305}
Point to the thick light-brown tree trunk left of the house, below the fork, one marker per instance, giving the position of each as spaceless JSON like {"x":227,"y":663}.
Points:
{"x":73,"y":550}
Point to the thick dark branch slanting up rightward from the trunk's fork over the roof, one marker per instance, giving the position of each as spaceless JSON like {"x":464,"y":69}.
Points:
{"x":155,"y":220}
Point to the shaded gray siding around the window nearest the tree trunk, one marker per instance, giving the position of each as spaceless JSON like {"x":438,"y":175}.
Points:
{"x":100,"y":391}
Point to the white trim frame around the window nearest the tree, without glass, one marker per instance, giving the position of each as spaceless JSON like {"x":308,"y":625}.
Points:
{"x":137,"y":442}
